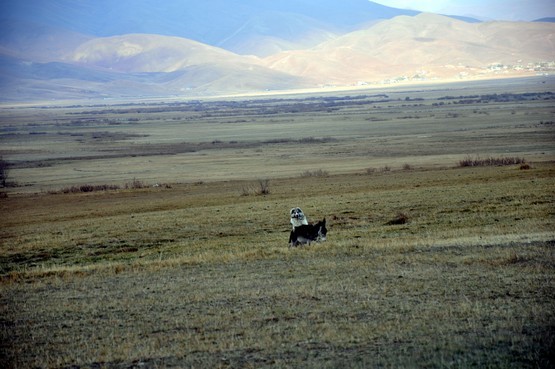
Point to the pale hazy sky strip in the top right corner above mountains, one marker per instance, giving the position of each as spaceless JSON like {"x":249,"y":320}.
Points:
{"x":494,"y":9}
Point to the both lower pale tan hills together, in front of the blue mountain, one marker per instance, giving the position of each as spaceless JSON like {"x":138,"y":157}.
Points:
{"x":38,"y":59}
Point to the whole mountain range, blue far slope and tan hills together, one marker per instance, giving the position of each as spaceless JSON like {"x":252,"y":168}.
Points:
{"x":64,"y":49}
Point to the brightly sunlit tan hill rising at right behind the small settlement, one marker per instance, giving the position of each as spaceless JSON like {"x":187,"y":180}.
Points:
{"x":427,"y":44}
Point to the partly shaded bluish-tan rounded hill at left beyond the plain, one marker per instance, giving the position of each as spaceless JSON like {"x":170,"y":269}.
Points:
{"x":138,"y":66}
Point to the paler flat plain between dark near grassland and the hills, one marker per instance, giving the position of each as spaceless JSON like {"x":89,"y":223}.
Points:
{"x":49,"y":147}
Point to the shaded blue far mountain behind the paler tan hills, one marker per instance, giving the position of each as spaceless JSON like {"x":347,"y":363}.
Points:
{"x":194,"y":20}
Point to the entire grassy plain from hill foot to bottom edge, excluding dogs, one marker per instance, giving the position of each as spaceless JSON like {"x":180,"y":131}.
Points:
{"x":196,"y":272}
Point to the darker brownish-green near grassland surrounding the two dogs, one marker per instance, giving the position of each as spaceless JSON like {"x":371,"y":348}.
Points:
{"x":201,"y":275}
